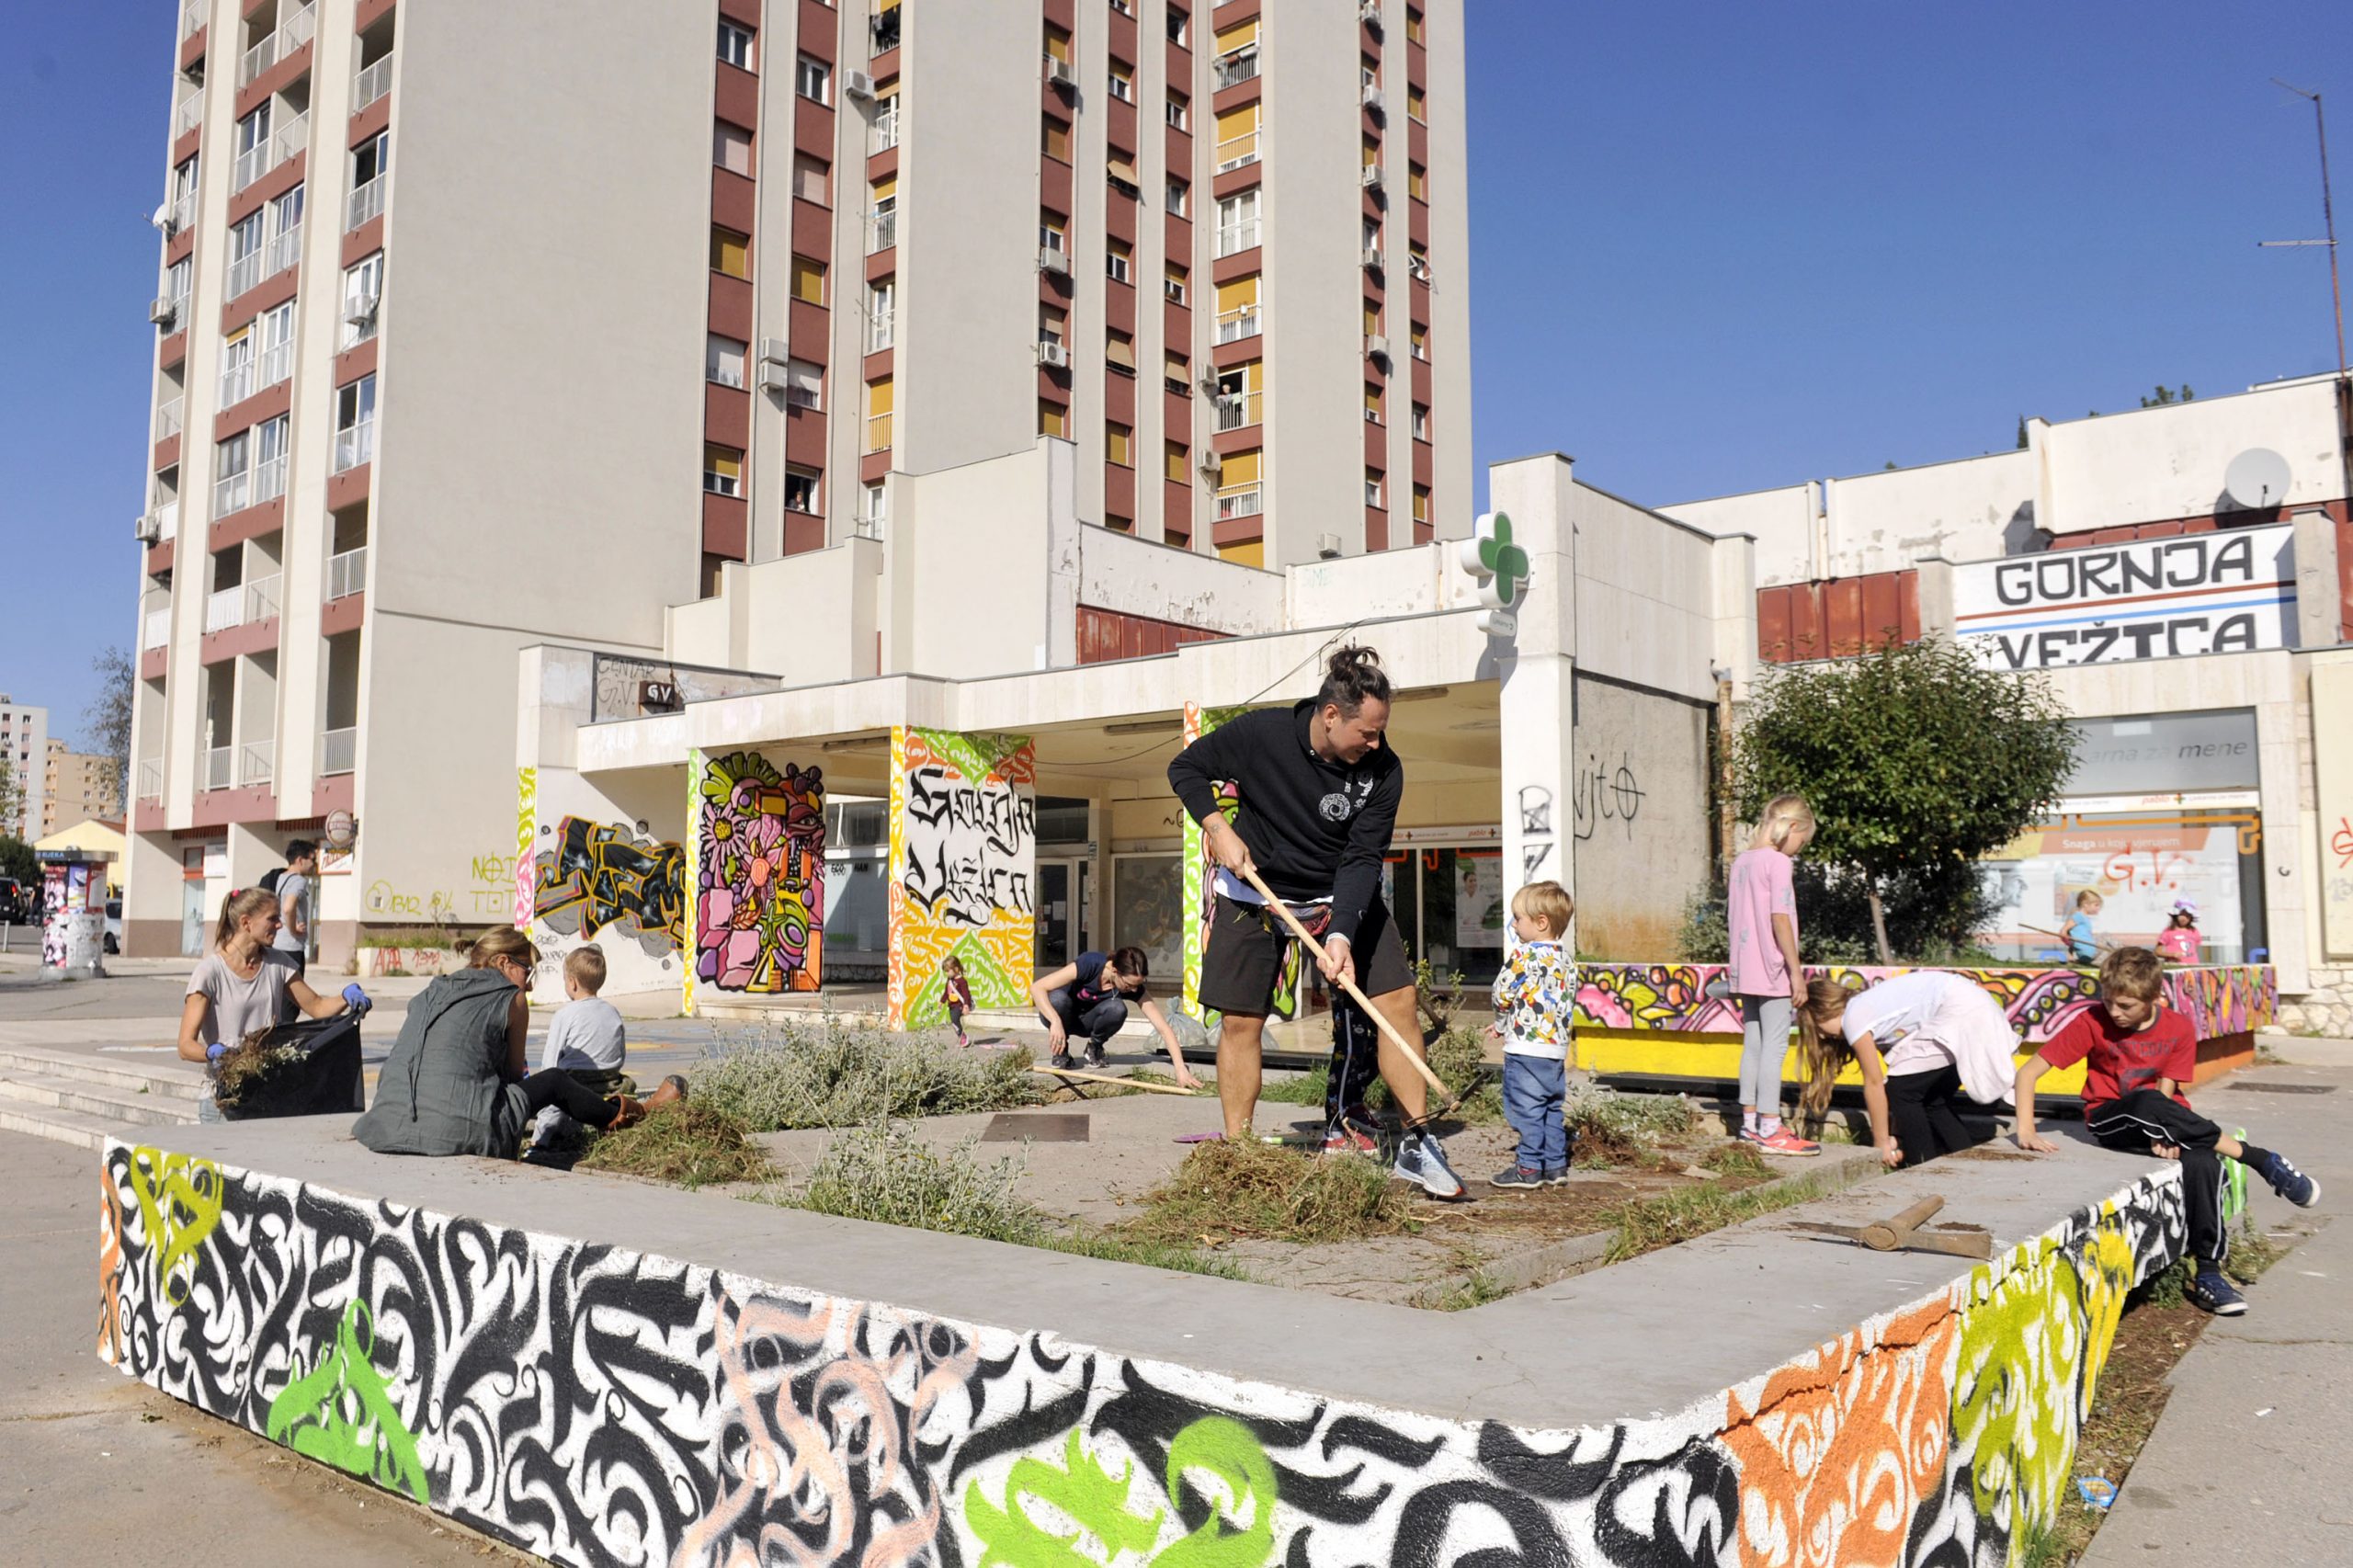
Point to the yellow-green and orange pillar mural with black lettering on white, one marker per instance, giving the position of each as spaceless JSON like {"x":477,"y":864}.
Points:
{"x":964,"y":851}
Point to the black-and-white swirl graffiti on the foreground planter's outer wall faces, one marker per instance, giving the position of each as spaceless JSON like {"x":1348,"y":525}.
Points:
{"x":606,"y":1407}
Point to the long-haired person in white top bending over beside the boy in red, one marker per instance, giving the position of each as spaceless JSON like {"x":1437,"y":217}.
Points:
{"x":1921,"y":1042}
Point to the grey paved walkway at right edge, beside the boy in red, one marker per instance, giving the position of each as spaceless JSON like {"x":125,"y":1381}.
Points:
{"x":2251,"y":1459}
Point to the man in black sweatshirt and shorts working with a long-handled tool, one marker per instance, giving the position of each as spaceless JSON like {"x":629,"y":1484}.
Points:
{"x":1319,"y":802}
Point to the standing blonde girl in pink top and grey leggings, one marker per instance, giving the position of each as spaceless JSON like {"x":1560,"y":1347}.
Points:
{"x":1768,"y":981}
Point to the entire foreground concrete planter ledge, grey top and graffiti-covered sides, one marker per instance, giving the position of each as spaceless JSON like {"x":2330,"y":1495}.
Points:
{"x":618,"y":1374}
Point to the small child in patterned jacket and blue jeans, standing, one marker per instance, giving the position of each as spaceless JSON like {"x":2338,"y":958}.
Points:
{"x":1533,"y":1002}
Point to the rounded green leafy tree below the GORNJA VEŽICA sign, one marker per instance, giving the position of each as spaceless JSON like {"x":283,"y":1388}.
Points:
{"x":1919,"y":762}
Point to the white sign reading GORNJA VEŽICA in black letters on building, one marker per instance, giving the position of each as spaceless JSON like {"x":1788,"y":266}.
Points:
{"x":2154,"y":599}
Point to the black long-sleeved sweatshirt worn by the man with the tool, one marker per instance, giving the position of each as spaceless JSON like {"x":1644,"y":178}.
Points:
{"x":1317,"y":830}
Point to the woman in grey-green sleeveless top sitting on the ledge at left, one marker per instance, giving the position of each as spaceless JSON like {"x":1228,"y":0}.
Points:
{"x":455,"y":1079}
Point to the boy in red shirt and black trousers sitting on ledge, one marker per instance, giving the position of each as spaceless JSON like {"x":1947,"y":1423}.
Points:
{"x":2138,"y":1058}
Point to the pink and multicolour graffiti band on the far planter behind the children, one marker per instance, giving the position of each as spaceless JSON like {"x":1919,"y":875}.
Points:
{"x":1677,"y":997}
